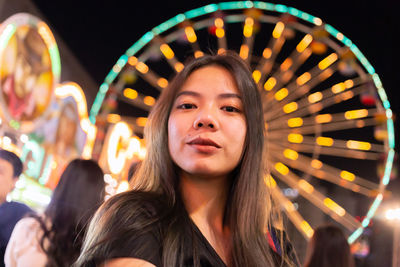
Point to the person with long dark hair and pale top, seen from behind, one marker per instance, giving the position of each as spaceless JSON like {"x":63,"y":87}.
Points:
{"x":54,"y":239}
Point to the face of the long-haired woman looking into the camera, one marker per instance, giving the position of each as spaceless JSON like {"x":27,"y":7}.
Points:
{"x":207,"y":125}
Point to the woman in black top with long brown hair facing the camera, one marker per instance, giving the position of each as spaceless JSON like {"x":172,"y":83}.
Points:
{"x":199,"y":198}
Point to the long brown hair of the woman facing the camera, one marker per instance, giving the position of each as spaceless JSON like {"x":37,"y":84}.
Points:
{"x":248,"y":207}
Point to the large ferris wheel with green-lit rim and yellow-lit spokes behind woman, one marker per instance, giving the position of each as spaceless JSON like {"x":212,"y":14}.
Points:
{"x":327,"y":116}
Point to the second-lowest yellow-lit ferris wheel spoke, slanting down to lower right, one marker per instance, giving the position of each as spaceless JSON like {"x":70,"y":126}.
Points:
{"x":308,"y":191}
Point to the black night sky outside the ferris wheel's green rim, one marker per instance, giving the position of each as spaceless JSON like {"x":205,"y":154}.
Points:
{"x":99,"y":32}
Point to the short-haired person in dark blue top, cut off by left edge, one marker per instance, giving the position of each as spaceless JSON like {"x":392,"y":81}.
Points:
{"x":10,"y":211}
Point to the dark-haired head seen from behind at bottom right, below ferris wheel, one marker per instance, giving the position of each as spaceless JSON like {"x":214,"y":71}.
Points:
{"x":329,"y":248}
